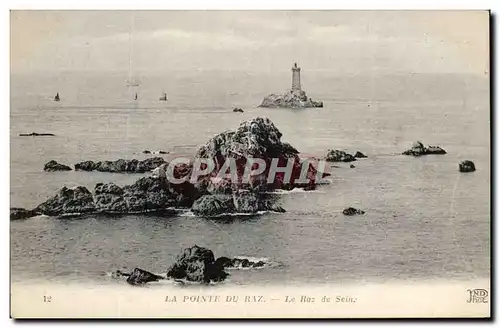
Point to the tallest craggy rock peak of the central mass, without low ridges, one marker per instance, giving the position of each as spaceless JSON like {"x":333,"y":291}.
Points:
{"x":259,"y":139}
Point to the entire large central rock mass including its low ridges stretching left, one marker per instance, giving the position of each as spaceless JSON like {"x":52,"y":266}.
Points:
{"x":208,"y":195}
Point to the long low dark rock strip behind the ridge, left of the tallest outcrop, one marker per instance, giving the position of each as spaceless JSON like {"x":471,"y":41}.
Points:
{"x":121,"y":165}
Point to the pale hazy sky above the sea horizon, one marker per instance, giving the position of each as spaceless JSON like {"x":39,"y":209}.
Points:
{"x":346,"y":42}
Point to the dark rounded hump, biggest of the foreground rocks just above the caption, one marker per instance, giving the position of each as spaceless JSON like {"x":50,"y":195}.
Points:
{"x":197,"y":264}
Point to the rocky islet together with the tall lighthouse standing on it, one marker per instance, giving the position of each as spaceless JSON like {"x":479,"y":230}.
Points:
{"x":295,"y":98}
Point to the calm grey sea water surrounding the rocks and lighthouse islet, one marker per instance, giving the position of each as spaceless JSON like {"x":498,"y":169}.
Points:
{"x":424,"y":219}
